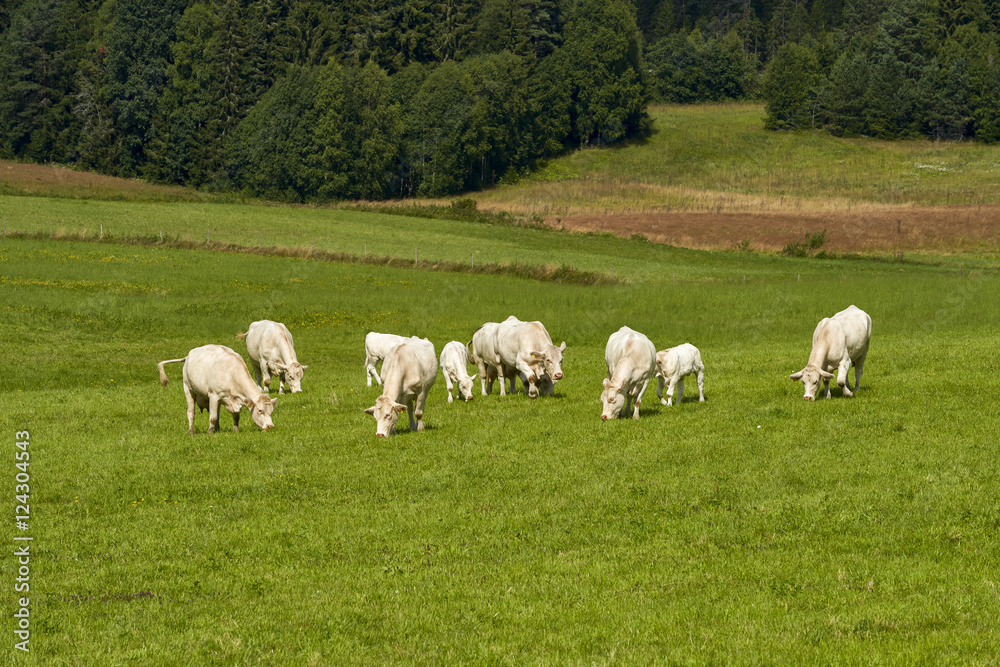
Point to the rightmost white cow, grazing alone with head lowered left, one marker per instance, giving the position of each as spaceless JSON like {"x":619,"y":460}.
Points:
{"x":838,"y":342}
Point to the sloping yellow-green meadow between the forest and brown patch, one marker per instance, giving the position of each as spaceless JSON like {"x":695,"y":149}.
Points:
{"x":720,"y":158}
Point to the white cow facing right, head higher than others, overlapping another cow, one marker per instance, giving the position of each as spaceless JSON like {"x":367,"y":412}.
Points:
{"x":526,"y":349}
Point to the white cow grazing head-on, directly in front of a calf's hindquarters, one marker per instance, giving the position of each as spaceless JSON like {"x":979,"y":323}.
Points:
{"x":408,"y":374}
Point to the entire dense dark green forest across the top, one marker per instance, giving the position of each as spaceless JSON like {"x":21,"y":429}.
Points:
{"x":314,"y":99}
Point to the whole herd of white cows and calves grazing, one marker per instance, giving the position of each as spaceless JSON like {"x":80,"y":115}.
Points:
{"x":215,"y":376}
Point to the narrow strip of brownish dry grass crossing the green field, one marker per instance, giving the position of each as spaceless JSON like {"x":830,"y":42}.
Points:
{"x":561,"y":273}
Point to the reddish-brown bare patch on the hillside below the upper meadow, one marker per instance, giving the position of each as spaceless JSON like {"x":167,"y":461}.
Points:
{"x":945,"y":229}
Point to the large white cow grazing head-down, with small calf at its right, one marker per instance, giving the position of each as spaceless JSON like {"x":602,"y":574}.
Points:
{"x":631,"y":361}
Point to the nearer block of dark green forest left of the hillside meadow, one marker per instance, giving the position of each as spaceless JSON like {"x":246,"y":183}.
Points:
{"x":313,"y":99}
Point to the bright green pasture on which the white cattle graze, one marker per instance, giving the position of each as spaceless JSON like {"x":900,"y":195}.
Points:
{"x":754,"y":528}
